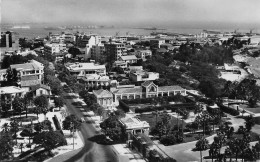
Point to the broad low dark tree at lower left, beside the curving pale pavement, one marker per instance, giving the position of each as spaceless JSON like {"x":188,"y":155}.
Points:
{"x":50,"y":140}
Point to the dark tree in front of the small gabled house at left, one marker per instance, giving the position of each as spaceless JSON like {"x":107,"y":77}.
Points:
{"x":42,"y":104}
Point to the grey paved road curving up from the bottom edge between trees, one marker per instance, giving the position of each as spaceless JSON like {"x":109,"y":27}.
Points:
{"x":91,"y":152}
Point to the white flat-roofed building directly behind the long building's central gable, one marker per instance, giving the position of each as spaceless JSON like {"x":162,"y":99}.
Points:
{"x":142,"y":76}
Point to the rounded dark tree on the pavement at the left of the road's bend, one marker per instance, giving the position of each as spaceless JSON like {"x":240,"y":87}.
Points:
{"x":71,"y":123}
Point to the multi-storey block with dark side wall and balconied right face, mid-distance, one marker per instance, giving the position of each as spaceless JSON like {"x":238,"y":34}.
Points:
{"x":115,"y":50}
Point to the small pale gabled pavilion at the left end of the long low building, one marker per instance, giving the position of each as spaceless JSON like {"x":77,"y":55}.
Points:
{"x":104,"y":97}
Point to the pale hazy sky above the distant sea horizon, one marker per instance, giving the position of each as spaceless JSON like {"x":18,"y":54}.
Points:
{"x":135,"y":13}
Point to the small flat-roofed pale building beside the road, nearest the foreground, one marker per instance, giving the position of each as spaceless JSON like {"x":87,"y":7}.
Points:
{"x":134,"y":126}
